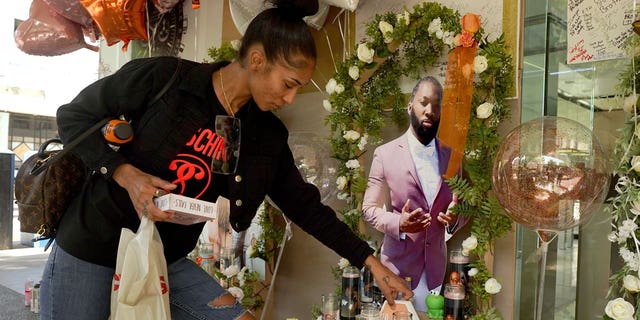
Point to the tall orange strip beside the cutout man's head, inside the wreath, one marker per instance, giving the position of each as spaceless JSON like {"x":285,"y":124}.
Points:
{"x":456,"y":105}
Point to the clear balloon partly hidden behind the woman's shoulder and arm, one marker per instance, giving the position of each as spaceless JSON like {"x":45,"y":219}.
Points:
{"x":313,"y":159}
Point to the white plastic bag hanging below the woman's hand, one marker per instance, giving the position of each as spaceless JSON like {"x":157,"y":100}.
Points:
{"x":140,"y":287}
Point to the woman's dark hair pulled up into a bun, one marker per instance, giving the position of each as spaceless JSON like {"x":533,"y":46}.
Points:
{"x":282,"y":32}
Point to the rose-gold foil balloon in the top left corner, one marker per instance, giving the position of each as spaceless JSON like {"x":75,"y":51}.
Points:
{"x":47,"y":33}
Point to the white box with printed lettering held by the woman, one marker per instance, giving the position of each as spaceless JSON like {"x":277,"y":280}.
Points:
{"x":187,"y":210}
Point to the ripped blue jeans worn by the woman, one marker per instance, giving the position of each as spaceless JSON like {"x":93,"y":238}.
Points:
{"x":75,"y":289}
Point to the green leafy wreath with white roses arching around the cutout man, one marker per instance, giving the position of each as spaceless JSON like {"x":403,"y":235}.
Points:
{"x":366,"y":86}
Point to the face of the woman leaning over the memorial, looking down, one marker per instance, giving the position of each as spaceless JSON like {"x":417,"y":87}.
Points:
{"x":275,"y":84}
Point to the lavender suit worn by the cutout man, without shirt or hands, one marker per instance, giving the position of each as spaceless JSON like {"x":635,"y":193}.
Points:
{"x":393,"y":180}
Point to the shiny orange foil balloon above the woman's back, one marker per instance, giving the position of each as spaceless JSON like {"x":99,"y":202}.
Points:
{"x":119,"y":20}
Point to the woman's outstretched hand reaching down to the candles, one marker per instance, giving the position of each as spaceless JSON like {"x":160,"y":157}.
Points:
{"x":389,"y":283}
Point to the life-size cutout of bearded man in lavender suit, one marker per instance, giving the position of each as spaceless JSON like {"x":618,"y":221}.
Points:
{"x":407,"y":199}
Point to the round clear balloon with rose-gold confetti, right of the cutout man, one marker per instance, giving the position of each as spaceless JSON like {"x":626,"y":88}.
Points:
{"x":550,"y":174}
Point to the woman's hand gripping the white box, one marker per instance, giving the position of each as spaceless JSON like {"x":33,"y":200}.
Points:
{"x":142,"y":188}
